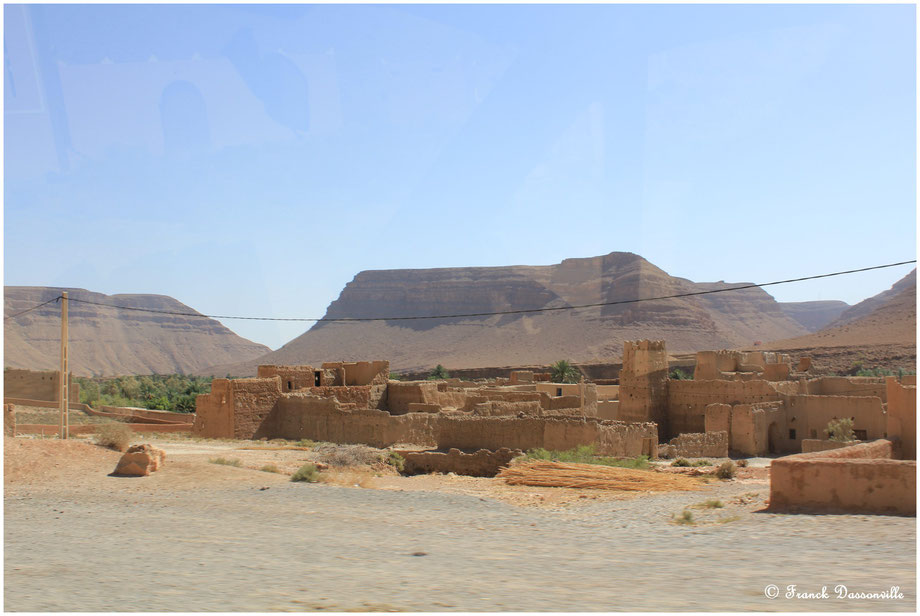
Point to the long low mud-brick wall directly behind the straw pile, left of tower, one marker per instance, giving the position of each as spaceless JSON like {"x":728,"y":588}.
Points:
{"x":610,"y":438}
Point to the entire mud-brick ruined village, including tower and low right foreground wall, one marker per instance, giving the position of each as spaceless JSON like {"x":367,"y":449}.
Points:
{"x":741,"y":404}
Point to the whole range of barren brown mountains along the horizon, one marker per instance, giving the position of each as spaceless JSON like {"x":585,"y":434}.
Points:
{"x":107,"y":341}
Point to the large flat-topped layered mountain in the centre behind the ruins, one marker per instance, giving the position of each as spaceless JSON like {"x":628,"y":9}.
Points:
{"x":596,"y":333}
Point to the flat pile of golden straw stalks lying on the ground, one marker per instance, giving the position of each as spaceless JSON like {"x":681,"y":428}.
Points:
{"x":566,"y":475}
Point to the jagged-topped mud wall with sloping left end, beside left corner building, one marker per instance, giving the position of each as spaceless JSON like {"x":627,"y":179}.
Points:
{"x":301,"y":415}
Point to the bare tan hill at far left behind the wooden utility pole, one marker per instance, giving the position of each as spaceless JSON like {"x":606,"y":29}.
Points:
{"x":105,"y":341}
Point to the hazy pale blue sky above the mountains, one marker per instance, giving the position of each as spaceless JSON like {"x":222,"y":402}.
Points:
{"x":252,"y":159}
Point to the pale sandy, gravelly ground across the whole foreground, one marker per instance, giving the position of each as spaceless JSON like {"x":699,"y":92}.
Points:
{"x":198,"y":536}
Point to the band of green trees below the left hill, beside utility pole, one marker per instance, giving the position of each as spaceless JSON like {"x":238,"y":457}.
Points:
{"x":167,"y":392}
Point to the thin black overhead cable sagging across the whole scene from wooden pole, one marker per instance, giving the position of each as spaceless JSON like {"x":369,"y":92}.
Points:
{"x":474,"y":314}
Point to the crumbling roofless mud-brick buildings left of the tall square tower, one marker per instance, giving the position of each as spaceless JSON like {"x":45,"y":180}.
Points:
{"x":355,"y":402}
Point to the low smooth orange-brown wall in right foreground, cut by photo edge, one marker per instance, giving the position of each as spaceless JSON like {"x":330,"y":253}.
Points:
{"x":857,"y":479}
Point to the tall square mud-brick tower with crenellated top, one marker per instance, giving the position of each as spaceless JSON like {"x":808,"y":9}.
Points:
{"x":644,"y":384}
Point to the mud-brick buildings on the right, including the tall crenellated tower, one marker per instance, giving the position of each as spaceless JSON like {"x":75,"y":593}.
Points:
{"x":762,"y":403}
